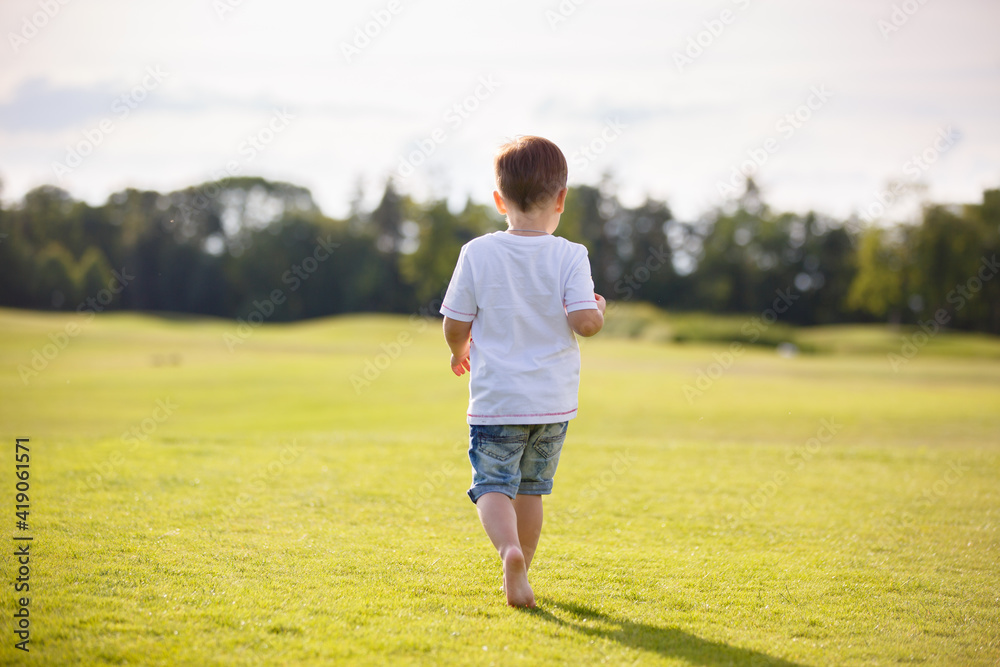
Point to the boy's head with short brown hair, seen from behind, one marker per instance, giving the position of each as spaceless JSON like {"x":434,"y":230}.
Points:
{"x":530,"y":172}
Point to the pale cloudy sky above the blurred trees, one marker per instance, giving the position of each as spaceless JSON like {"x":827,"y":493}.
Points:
{"x":823,"y":102}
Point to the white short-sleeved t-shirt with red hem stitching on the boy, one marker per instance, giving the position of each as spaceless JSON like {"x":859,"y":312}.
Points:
{"x":516,"y":291}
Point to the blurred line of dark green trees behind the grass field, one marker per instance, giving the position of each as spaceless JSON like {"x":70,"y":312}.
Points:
{"x":225,"y":248}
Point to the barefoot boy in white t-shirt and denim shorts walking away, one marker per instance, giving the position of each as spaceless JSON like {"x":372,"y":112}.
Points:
{"x":513,"y":303}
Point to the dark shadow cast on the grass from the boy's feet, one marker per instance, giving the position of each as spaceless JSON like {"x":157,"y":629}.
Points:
{"x":668,"y":642}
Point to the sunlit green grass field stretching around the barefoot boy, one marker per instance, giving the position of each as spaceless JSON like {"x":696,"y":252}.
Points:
{"x":196,"y":504}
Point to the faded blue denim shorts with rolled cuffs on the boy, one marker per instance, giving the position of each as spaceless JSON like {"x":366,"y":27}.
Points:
{"x":514,"y":458}
